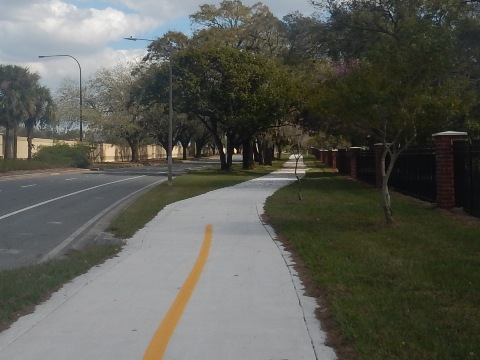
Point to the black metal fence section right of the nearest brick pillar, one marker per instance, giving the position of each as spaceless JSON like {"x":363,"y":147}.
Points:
{"x":466,"y":157}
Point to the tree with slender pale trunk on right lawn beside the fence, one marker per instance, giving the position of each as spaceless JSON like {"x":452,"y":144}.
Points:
{"x":399,"y":75}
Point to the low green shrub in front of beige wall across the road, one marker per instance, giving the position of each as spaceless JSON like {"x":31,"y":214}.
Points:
{"x":63,"y":155}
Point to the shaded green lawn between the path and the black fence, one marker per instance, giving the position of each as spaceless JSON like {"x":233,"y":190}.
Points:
{"x":407,"y":291}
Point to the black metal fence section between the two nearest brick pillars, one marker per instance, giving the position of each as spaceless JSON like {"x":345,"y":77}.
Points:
{"x":414,"y":173}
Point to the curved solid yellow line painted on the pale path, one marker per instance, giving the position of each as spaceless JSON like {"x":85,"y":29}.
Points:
{"x":158,"y":344}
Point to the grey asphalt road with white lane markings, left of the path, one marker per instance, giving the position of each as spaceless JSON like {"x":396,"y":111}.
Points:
{"x":42,"y":215}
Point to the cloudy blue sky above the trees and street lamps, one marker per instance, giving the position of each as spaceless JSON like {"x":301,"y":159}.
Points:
{"x":93,"y":30}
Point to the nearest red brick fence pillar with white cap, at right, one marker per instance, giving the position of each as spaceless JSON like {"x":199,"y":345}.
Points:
{"x":445,"y":172}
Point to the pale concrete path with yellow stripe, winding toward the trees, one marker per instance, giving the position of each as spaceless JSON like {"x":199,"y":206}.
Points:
{"x":206,"y":279}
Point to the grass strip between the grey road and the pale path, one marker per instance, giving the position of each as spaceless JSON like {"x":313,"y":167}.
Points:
{"x":23,"y":288}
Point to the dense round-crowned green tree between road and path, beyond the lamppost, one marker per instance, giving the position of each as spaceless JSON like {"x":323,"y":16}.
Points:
{"x":233,"y":92}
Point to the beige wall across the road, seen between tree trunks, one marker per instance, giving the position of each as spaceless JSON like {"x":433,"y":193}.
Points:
{"x":100,"y":152}
